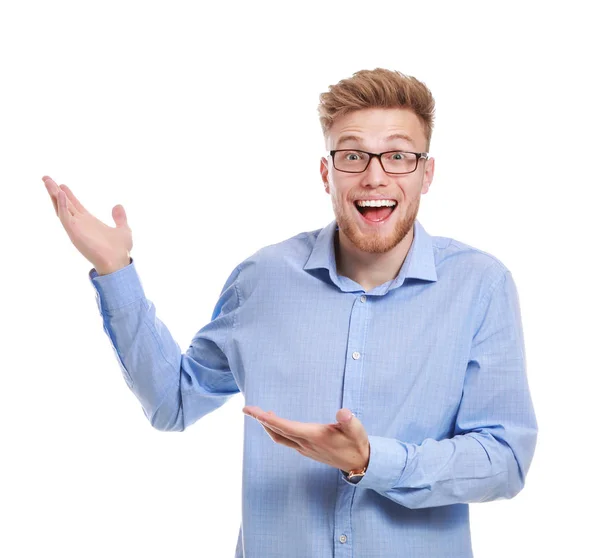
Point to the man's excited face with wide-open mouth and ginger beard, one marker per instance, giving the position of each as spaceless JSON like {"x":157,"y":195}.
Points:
{"x":378,"y":230}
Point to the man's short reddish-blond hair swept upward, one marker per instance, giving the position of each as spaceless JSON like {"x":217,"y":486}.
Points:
{"x":378,"y":88}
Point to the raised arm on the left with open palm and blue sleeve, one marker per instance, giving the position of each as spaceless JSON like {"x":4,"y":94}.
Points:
{"x":174,"y":389}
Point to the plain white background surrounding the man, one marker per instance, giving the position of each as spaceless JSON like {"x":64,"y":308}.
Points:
{"x":183,"y":115}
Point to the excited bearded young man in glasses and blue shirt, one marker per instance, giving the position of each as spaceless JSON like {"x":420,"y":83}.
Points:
{"x":413,"y":343}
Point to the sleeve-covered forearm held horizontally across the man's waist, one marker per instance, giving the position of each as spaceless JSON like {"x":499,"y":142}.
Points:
{"x":470,"y":467}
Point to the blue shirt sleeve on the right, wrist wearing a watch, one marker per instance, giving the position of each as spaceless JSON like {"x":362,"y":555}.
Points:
{"x":496,"y":429}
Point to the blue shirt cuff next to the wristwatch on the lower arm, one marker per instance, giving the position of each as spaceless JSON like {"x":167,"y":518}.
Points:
{"x":387,"y":461}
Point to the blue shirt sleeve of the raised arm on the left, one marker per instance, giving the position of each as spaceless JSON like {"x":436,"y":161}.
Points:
{"x":174,"y":389}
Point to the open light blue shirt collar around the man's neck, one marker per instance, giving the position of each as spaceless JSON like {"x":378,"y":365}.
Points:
{"x":419,"y":262}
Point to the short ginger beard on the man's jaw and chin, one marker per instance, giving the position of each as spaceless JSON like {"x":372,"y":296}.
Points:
{"x":375,"y":241}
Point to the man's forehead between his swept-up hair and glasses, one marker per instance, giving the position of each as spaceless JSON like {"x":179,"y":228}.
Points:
{"x":372,"y":127}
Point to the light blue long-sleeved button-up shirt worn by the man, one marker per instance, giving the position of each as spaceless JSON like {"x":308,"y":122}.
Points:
{"x":432,"y":363}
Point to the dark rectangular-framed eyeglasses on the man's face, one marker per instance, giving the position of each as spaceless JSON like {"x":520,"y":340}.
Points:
{"x":392,"y":162}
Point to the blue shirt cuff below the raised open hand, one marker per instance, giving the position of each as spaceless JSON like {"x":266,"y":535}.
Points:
{"x":117,"y":289}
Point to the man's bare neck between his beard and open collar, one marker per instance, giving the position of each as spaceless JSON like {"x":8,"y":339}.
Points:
{"x":366,"y":269}
